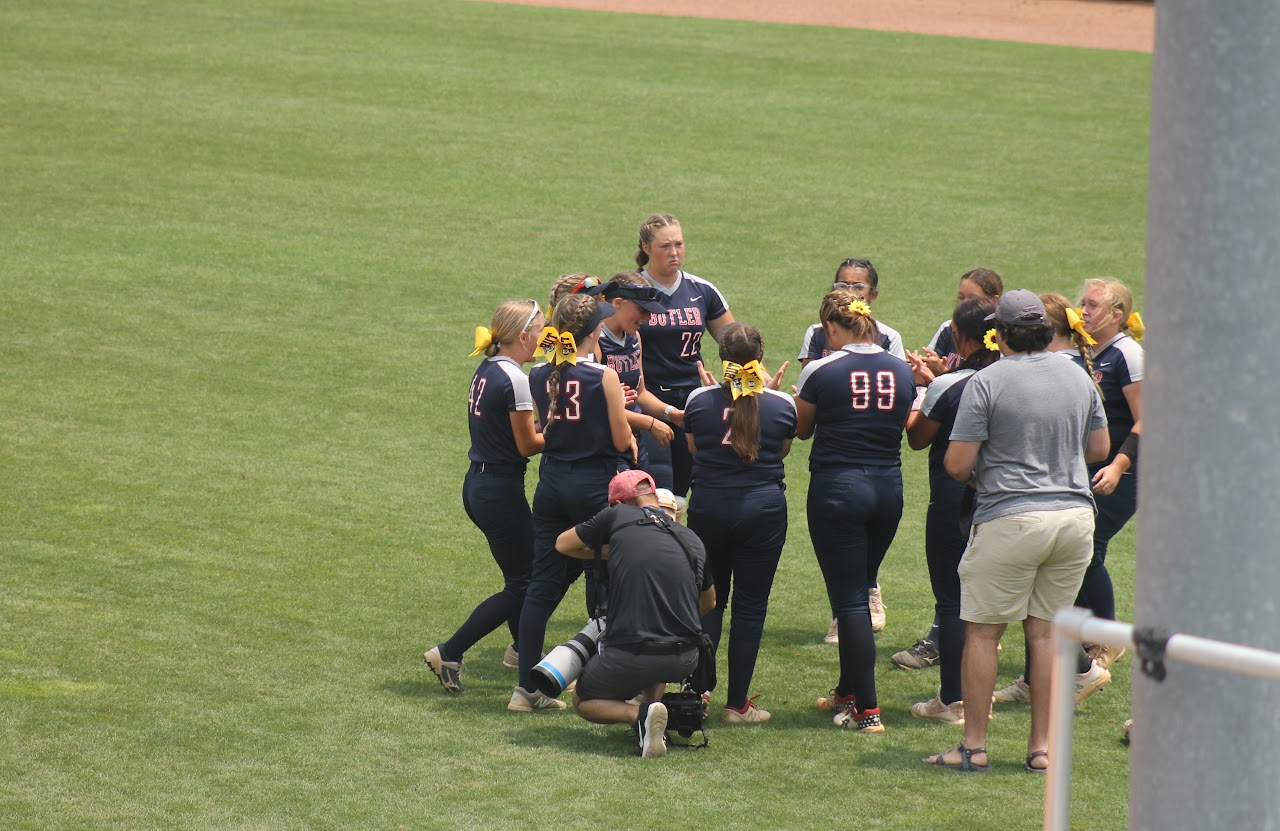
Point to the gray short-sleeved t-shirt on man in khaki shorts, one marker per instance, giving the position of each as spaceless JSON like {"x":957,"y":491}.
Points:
{"x":1034,"y":414}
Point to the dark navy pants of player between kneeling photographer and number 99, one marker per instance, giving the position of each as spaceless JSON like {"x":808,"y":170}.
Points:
{"x":744,"y":533}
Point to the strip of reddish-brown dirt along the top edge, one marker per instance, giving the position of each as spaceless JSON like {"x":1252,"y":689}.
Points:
{"x":1094,"y":24}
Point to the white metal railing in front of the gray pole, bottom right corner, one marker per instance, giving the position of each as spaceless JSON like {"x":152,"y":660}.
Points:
{"x":1073,"y":627}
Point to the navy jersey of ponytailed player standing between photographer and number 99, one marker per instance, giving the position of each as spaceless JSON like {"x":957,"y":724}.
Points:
{"x":716,"y":465}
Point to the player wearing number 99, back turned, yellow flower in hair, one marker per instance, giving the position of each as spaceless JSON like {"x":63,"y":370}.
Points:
{"x":854,"y":404}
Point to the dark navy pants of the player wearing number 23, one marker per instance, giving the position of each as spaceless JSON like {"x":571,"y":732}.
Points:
{"x":568,"y":494}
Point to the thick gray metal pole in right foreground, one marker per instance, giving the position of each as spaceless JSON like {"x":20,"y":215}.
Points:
{"x":1205,"y":747}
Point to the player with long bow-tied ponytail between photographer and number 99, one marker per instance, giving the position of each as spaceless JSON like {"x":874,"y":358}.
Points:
{"x":739,"y":433}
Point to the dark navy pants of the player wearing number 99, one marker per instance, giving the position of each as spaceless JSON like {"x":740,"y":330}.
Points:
{"x":853,"y":517}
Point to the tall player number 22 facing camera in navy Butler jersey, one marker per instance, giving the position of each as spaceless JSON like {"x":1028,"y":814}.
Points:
{"x":673,"y":340}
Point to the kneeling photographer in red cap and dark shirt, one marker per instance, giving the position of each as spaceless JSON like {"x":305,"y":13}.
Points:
{"x":657,"y":597}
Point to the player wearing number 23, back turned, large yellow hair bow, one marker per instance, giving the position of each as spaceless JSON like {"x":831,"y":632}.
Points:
{"x":580,"y":407}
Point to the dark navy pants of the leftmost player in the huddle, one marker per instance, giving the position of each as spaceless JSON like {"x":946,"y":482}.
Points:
{"x":496,"y":504}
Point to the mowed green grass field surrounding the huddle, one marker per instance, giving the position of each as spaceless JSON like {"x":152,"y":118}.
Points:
{"x":244,"y":246}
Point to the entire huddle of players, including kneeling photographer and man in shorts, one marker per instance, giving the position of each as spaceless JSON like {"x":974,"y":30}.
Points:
{"x":1030,"y":409}
